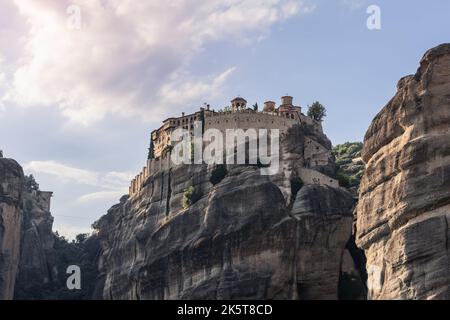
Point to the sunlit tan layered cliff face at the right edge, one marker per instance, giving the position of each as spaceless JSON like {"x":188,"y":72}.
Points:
{"x":404,"y":207}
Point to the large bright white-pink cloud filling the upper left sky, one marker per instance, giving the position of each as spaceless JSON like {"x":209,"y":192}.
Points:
{"x":130,"y":57}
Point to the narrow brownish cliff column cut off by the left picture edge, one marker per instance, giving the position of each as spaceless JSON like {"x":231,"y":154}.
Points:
{"x":11,"y":183}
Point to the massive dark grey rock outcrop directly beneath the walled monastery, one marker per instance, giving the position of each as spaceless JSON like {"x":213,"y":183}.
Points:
{"x":249,"y":236}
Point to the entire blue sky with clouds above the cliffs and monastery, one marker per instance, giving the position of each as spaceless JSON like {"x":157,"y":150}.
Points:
{"x":83,"y":82}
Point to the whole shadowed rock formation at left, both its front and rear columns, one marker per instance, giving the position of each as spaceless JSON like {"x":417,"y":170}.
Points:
{"x":26,"y":237}
